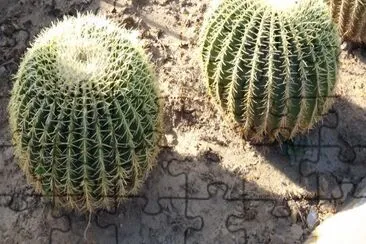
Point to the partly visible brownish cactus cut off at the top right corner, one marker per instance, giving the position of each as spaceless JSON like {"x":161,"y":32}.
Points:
{"x":350,"y":15}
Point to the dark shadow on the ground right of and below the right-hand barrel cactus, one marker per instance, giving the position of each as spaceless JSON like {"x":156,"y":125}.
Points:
{"x":327,"y":159}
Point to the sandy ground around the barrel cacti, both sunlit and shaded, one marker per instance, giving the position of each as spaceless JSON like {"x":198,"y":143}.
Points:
{"x":210,"y":186}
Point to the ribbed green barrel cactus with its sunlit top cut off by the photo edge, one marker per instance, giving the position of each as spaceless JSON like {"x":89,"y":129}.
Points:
{"x":270,"y":65}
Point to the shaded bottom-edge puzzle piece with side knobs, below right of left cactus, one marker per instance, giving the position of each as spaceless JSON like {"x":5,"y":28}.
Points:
{"x":133,"y":225}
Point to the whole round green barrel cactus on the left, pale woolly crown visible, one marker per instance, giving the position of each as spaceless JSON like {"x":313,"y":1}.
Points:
{"x":85,"y":114}
